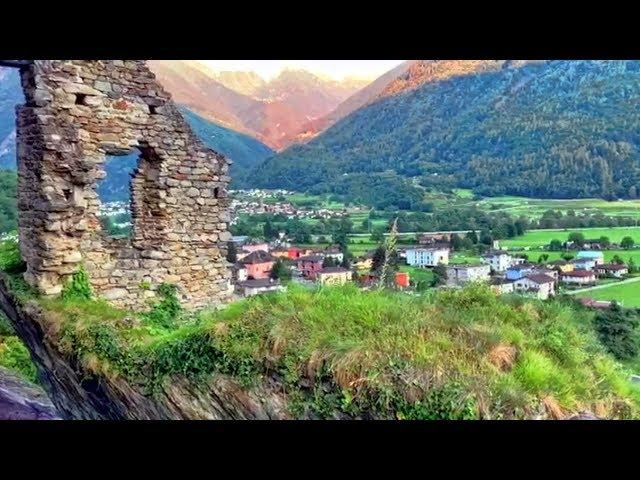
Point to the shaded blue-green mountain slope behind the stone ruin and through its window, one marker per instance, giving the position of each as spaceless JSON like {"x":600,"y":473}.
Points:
{"x":246,"y":152}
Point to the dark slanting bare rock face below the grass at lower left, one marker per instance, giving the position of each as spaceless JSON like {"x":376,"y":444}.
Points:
{"x":78,"y":394}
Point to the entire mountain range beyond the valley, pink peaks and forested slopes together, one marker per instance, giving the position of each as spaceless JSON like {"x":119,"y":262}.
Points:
{"x":560,"y":129}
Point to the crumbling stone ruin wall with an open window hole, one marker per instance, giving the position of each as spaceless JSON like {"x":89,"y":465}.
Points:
{"x":76,"y":113}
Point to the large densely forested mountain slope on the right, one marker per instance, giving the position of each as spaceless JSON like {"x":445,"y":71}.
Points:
{"x":559,"y":129}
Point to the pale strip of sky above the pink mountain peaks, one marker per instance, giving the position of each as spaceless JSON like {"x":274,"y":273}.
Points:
{"x":336,"y":69}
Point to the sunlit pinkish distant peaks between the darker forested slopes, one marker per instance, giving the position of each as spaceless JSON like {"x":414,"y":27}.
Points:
{"x":274,"y":112}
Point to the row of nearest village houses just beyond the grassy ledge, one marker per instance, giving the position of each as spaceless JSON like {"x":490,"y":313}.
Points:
{"x":261,"y":267}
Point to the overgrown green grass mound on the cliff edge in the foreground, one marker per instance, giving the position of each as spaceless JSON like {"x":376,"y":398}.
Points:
{"x":341,"y":352}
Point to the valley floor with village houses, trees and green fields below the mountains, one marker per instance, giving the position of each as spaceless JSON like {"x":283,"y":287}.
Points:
{"x":552,"y":263}
